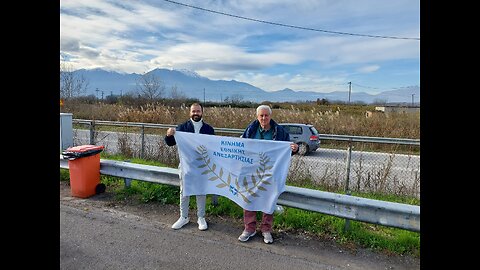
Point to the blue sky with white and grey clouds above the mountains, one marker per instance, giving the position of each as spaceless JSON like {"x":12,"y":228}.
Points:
{"x":312,"y":45}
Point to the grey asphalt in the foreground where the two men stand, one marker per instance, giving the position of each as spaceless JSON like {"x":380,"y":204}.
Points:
{"x":102,"y":233}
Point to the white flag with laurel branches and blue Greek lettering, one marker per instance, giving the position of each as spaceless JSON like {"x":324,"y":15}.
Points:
{"x":250,"y":172}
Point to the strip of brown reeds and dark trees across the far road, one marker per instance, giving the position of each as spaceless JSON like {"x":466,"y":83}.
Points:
{"x":338,"y":118}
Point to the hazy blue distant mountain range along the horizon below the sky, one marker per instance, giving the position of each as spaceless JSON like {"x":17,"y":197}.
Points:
{"x":192,"y":85}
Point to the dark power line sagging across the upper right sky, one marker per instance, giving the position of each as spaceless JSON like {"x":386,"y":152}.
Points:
{"x":287,"y":25}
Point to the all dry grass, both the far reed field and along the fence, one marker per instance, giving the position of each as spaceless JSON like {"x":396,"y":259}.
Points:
{"x":327,"y":119}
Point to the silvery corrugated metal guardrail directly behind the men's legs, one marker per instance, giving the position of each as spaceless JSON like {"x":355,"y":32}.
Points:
{"x":390,"y":214}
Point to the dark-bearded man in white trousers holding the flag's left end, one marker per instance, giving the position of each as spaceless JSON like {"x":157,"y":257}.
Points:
{"x":194,"y":125}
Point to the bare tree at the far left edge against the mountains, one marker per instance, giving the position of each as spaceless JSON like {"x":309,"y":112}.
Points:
{"x":71,"y":84}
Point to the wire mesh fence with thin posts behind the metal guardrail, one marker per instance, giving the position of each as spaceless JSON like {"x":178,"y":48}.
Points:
{"x":391,"y":167}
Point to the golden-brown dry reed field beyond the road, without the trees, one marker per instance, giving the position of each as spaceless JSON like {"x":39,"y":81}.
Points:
{"x":326,"y":120}
